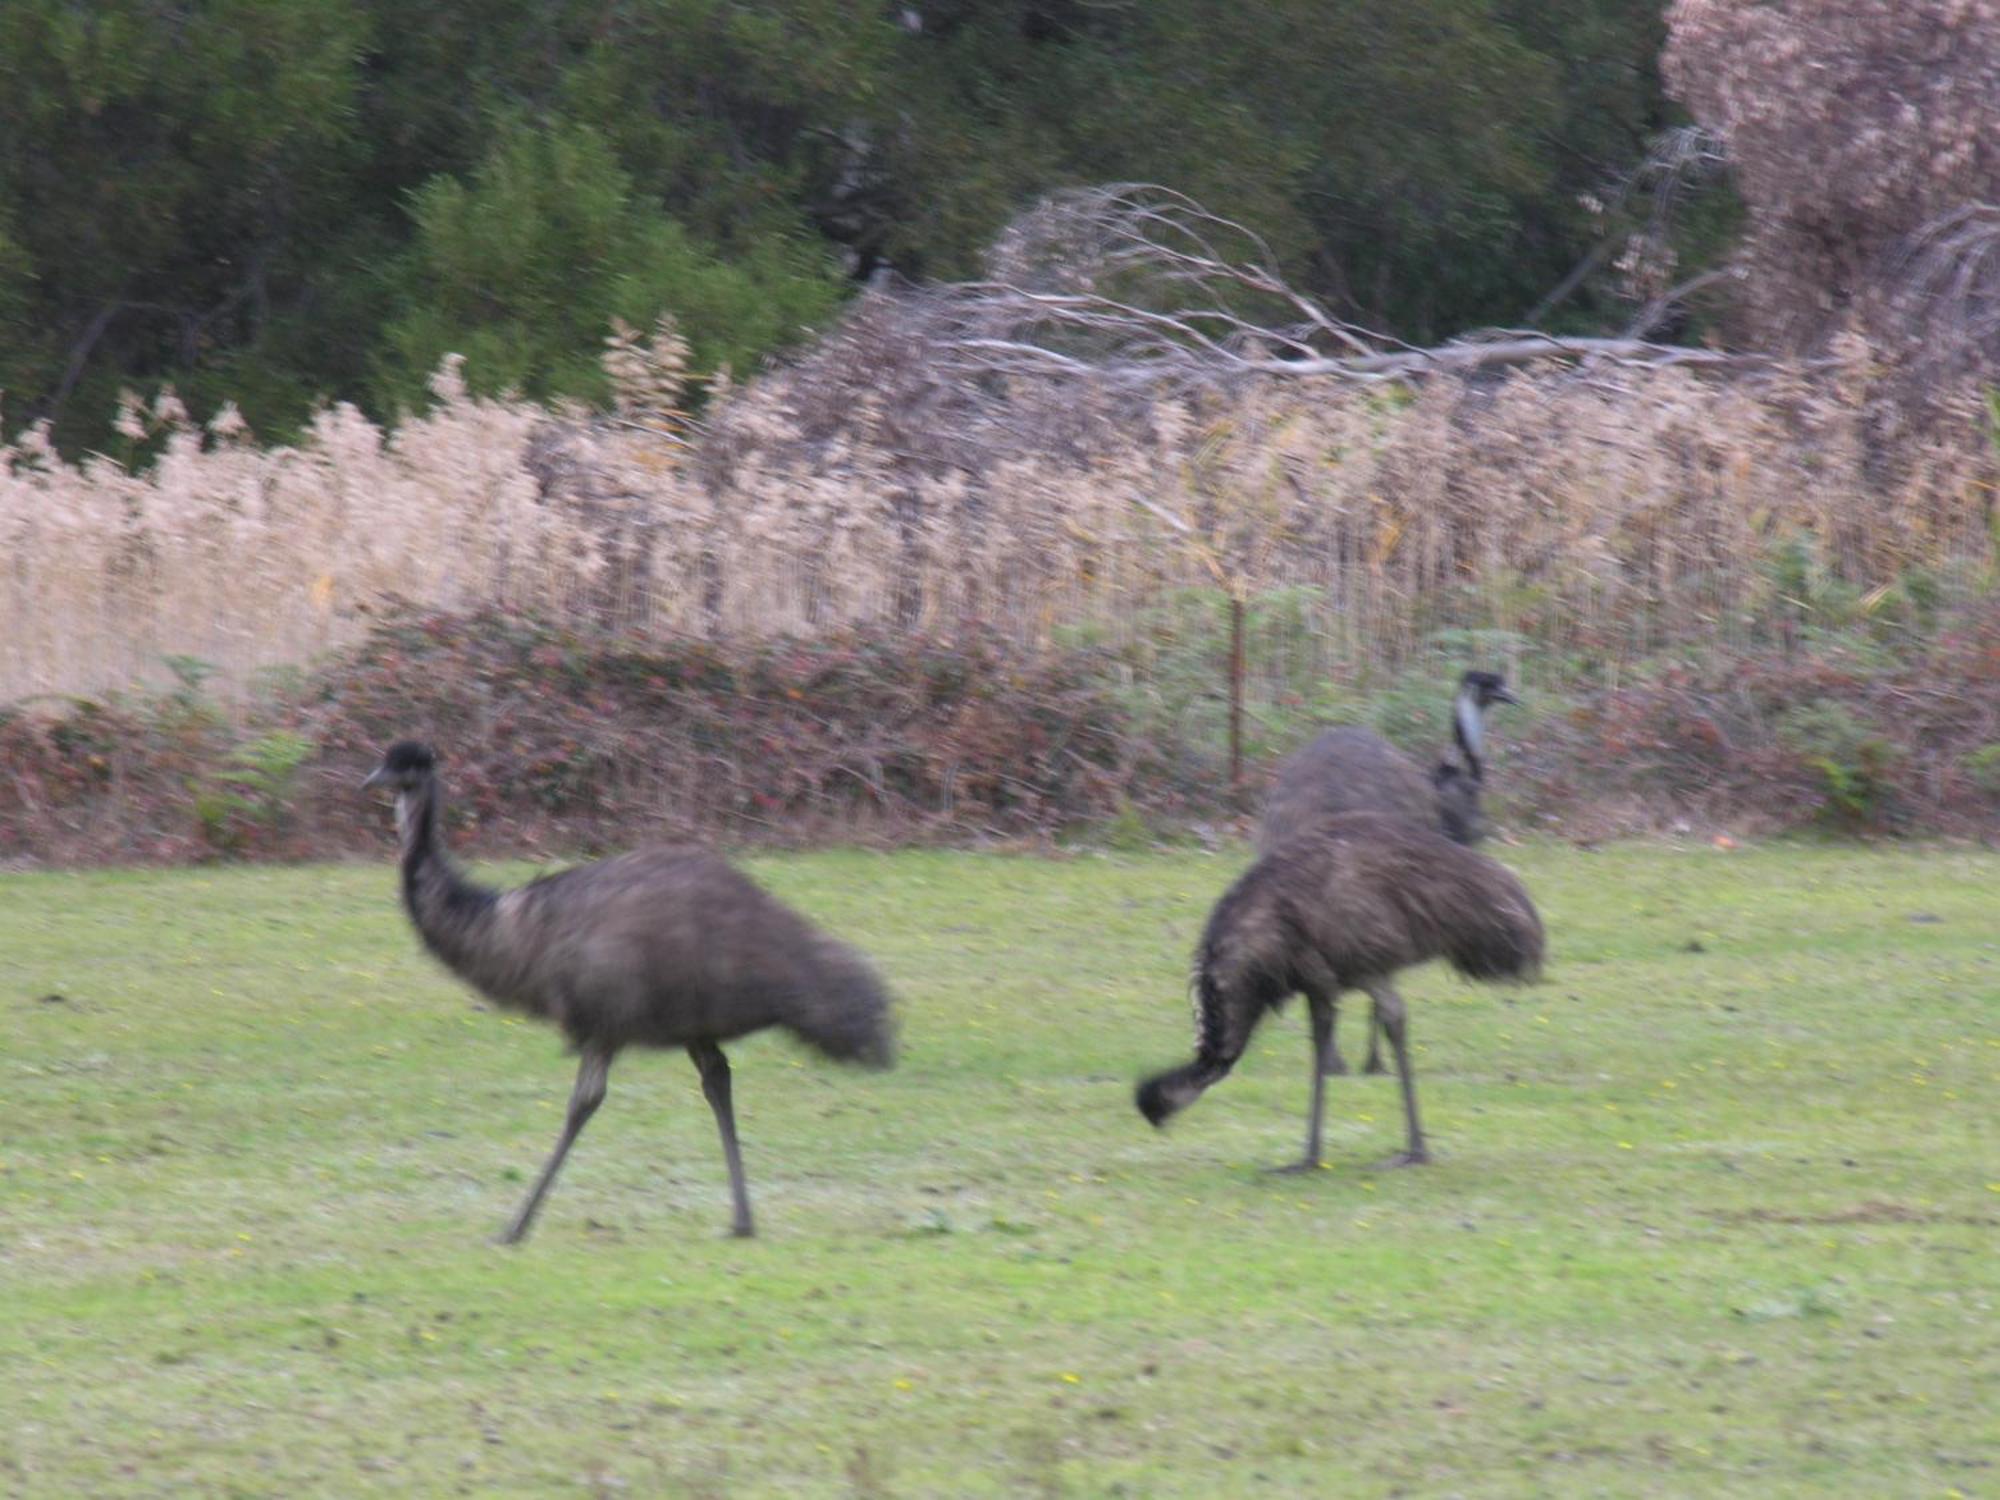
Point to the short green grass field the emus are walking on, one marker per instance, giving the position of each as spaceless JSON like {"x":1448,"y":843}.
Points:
{"x":1715,"y":1209}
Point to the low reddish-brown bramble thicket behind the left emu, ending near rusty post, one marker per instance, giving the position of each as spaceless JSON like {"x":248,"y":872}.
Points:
{"x":567,"y":741}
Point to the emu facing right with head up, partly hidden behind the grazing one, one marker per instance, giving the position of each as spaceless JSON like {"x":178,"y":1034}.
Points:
{"x":1357,"y":771}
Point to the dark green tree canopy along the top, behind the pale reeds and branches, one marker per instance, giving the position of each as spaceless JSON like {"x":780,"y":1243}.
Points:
{"x":283,"y":201}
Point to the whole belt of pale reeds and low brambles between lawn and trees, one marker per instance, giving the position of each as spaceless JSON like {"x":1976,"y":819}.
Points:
{"x":867,"y":601}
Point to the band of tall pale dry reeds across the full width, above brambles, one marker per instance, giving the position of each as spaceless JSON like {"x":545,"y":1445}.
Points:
{"x":1609,"y":513}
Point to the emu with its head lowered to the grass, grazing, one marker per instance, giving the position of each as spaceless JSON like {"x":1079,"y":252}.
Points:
{"x":1345,"y":907}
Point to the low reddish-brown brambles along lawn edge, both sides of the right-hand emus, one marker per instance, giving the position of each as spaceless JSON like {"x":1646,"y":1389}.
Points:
{"x":569,"y":743}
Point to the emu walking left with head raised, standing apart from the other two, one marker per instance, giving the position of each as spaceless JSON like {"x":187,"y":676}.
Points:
{"x":655,"y":949}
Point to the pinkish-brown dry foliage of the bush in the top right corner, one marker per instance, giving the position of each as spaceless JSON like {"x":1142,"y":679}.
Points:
{"x":1863,"y":141}
